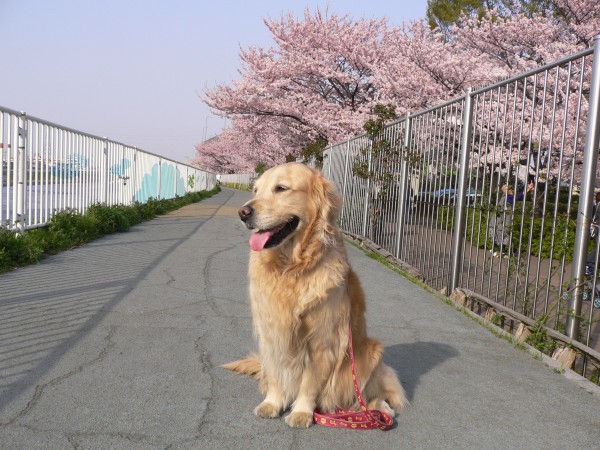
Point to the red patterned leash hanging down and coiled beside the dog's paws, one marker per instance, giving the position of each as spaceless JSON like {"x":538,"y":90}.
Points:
{"x":365,"y":419}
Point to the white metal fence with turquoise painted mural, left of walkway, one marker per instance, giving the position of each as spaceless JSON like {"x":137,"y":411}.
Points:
{"x":48,"y":168}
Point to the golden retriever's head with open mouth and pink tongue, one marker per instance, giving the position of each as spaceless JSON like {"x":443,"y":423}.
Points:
{"x":292,"y":204}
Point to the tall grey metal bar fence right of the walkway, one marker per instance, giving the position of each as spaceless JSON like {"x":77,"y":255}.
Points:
{"x":491,"y":193}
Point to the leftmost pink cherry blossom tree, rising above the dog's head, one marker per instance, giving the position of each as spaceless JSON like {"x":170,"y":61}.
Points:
{"x":316,"y":83}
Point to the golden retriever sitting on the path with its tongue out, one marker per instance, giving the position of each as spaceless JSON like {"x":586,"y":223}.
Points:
{"x":304,"y":295}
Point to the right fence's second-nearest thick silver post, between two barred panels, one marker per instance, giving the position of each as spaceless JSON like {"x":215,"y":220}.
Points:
{"x":459,"y":211}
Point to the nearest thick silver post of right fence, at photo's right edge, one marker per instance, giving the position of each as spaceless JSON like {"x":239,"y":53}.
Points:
{"x":586,"y":195}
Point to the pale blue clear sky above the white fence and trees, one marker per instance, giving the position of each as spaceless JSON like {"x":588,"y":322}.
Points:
{"x":134,"y":71}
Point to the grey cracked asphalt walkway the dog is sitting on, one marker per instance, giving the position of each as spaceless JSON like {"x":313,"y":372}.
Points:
{"x":117,"y":344}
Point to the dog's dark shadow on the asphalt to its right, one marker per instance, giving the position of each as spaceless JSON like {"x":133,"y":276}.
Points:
{"x":412,"y":361}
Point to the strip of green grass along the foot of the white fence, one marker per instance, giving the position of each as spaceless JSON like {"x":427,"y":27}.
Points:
{"x":68,"y":229}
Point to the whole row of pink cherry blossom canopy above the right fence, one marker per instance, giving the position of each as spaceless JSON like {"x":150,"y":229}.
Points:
{"x":325,"y":74}
